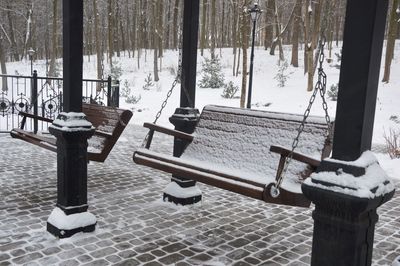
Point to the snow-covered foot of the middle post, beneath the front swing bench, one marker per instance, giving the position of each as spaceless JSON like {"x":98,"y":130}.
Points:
{"x":182,"y":195}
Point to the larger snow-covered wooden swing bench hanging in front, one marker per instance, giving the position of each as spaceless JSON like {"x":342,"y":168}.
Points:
{"x":240,"y":150}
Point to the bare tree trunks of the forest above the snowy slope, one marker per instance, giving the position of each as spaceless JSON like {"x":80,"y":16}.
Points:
{"x":145,"y":28}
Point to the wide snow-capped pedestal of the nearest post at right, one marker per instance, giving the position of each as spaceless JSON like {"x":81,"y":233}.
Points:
{"x":345,"y":210}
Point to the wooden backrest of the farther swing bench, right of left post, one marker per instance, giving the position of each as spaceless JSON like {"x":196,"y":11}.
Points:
{"x":109,"y":123}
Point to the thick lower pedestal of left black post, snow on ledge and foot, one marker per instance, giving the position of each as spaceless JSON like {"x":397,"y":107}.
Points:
{"x":70,"y":215}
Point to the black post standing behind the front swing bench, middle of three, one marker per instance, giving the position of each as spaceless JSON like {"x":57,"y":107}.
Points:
{"x":186,"y":117}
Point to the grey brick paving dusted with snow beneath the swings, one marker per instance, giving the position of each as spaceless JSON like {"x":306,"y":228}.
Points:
{"x":136,"y":228}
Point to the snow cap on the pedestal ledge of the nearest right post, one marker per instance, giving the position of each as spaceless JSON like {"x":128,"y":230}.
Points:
{"x":374,"y":183}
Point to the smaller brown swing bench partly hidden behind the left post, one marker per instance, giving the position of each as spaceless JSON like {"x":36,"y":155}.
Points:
{"x":109,"y":124}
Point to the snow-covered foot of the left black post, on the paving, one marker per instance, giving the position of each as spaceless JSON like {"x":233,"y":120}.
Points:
{"x":70,"y":223}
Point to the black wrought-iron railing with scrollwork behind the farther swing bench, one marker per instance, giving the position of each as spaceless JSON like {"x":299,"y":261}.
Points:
{"x":43,"y":96}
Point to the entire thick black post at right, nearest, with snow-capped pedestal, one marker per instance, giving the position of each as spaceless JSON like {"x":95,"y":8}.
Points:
{"x":344,"y":221}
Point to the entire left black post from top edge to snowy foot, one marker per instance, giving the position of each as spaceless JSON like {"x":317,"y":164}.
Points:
{"x":72,"y":131}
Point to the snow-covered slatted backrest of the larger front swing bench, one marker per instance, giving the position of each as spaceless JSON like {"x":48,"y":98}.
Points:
{"x":237,"y":140}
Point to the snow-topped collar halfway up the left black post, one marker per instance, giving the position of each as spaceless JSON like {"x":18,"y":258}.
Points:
{"x":71,"y":121}
